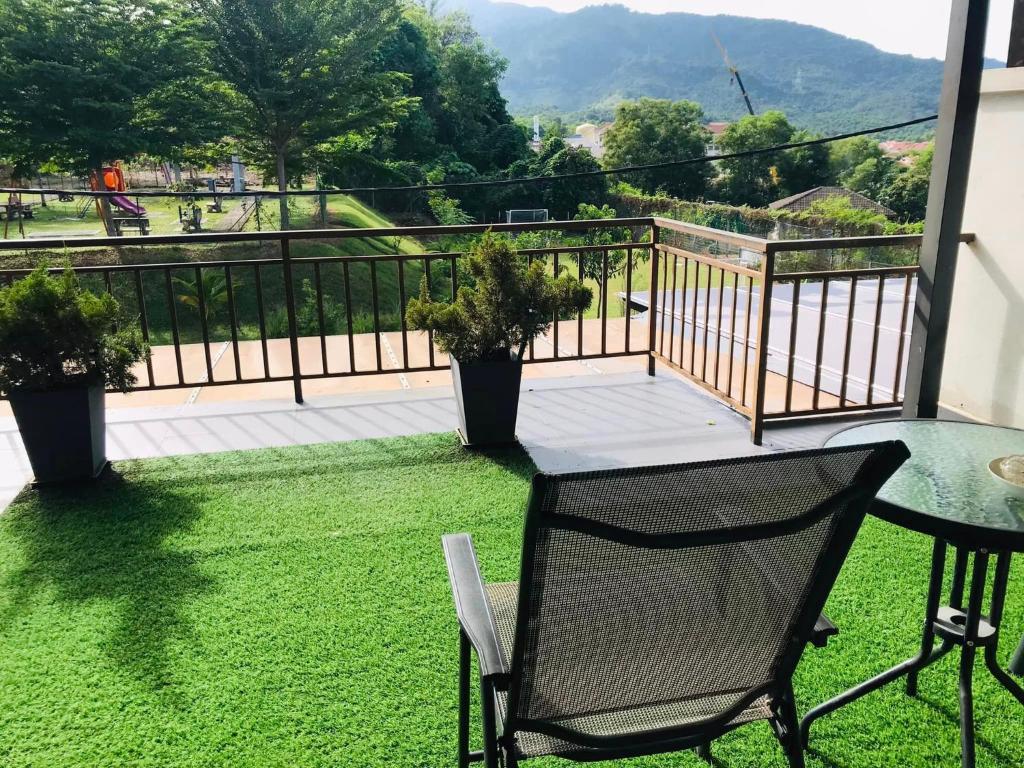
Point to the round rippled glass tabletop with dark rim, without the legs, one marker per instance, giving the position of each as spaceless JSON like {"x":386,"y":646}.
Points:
{"x":946,"y":488}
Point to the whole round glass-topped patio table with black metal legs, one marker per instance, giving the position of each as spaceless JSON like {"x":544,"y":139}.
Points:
{"x":947,"y":491}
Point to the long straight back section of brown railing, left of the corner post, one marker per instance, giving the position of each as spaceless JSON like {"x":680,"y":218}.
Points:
{"x":367,"y":335}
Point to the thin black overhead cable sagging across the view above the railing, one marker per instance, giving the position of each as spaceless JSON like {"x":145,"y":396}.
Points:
{"x":625,"y":170}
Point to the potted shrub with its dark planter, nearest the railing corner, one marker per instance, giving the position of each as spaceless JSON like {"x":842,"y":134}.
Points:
{"x":487,"y":329}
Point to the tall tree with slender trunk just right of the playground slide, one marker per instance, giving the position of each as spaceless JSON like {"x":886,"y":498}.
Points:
{"x":303,"y":72}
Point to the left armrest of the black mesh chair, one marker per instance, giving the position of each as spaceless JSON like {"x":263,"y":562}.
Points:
{"x":472,"y":605}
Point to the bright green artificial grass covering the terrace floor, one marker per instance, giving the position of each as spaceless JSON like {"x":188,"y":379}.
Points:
{"x":289,"y":608}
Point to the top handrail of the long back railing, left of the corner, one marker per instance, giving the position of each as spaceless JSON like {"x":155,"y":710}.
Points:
{"x":283,"y":235}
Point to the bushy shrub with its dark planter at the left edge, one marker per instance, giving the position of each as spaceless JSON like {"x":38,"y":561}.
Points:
{"x":60,"y":348}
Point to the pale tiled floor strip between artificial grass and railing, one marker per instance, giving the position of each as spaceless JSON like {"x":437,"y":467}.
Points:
{"x":566,"y":424}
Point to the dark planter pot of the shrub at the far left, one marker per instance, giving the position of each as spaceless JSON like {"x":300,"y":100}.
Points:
{"x":64,"y":432}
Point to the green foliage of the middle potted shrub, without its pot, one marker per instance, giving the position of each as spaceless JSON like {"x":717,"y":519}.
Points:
{"x":509,"y":305}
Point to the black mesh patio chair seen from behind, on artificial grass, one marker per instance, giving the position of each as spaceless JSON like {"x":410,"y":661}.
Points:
{"x":660,"y":608}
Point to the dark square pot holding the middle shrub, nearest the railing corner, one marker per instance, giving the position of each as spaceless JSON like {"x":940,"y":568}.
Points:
{"x":488,"y":400}
